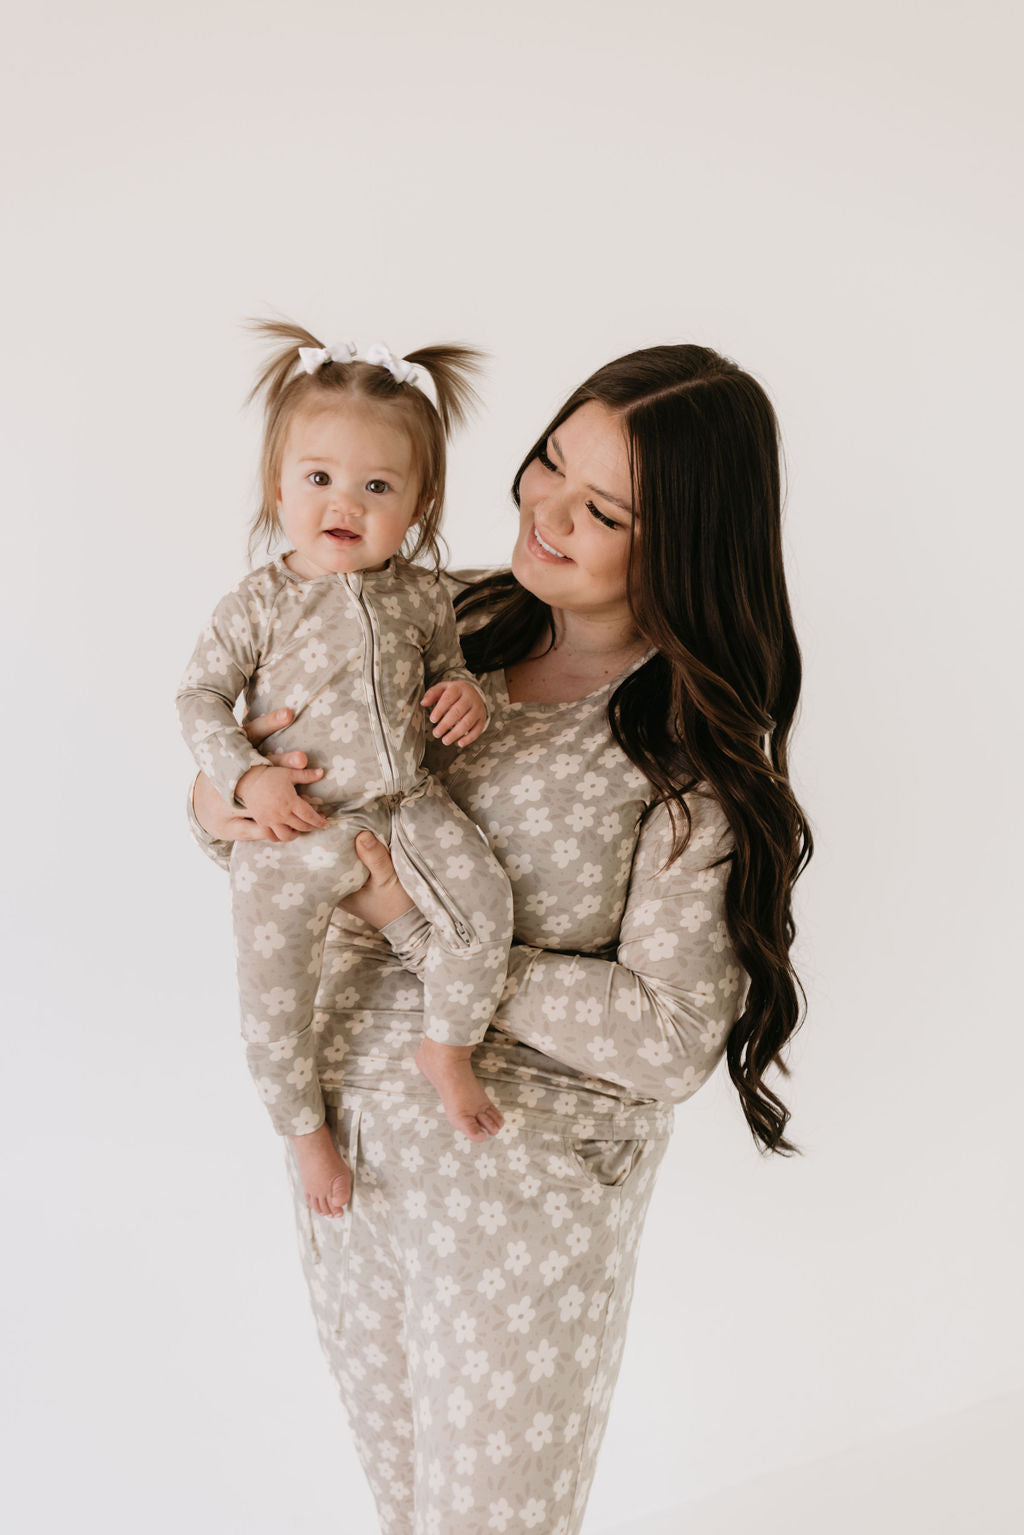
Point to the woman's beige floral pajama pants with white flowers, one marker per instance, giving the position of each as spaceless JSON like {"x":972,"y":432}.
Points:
{"x":472,"y":1306}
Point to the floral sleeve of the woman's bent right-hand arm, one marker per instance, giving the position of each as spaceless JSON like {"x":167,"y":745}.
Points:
{"x":655,"y":1018}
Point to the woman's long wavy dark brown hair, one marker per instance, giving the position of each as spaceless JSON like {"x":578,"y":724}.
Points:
{"x":709,"y":590}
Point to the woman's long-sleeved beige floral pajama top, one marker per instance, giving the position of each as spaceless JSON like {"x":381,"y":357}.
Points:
{"x":623,"y":982}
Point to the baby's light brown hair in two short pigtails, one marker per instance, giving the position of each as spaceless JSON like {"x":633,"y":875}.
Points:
{"x":286,"y":392}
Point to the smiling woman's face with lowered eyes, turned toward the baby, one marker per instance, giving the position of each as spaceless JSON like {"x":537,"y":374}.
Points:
{"x":575,"y":517}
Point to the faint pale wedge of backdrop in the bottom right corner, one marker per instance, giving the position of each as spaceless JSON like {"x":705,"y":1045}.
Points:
{"x":956,"y":1476}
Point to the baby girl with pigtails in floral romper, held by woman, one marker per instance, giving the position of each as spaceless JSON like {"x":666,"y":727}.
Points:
{"x":358,"y":642}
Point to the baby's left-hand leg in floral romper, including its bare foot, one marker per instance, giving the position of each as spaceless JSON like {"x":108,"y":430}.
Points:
{"x":283,"y":897}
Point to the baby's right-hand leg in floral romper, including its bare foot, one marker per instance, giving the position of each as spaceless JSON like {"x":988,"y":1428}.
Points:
{"x":457,"y":882}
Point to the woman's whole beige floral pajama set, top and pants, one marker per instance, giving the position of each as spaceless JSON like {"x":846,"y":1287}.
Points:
{"x":474,"y":1301}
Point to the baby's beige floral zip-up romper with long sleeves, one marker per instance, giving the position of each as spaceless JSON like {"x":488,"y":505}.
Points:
{"x":351,"y":655}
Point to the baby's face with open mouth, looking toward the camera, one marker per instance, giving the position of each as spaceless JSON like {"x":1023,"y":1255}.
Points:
{"x":349,"y":490}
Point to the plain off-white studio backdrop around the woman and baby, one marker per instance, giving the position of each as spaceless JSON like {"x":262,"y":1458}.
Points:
{"x":822,"y":193}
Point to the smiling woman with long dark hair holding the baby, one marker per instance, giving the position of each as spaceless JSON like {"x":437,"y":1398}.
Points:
{"x":644,"y":675}
